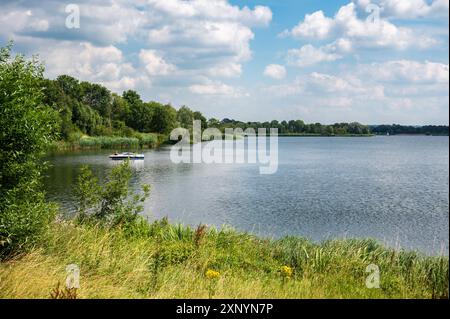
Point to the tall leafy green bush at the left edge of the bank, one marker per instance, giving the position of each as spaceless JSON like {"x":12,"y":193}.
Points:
{"x":27,"y":127}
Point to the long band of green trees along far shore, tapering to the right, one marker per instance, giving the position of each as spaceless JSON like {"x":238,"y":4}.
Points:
{"x":91,"y":109}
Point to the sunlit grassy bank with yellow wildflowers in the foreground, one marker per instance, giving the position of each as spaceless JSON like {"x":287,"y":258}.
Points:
{"x":160,"y":260}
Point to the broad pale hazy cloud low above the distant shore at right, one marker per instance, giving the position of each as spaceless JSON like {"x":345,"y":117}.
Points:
{"x":361,"y":93}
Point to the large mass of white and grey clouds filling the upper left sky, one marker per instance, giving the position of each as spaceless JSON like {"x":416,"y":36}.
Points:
{"x":192,"y":41}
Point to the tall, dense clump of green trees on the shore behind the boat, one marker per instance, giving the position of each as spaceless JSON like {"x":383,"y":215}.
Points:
{"x":93,"y":110}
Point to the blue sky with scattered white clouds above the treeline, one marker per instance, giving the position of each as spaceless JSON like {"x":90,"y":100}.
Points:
{"x":371,"y":61}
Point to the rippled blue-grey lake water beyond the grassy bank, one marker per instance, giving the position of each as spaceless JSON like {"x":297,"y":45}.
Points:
{"x":394,"y":189}
